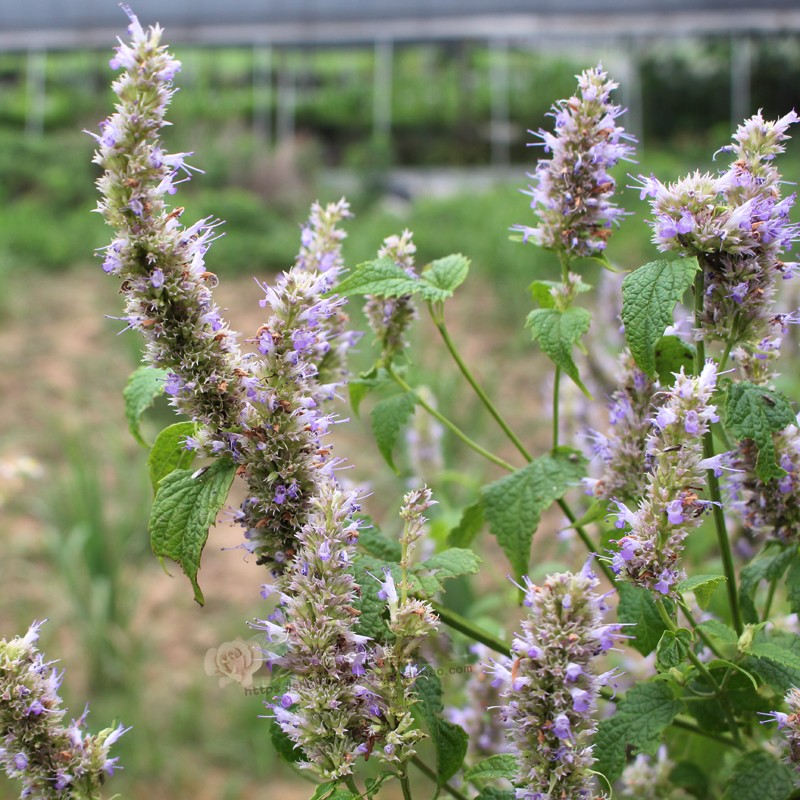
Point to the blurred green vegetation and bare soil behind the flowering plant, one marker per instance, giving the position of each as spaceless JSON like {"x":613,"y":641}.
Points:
{"x":75,"y":544}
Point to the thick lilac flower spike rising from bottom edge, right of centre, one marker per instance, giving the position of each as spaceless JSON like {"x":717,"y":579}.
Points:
{"x":550,"y":687}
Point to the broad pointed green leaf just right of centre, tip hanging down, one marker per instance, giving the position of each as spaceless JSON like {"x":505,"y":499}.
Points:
{"x":513,"y":505}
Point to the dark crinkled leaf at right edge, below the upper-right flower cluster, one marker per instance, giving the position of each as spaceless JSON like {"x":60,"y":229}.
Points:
{"x":755,"y":412}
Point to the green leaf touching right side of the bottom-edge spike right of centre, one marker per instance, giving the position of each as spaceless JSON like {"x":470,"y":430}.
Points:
{"x":641,"y":716}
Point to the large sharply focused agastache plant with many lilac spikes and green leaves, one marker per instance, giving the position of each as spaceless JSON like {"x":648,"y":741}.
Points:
{"x":354,"y":606}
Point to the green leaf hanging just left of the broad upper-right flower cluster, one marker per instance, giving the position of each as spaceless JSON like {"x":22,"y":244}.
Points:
{"x":649,"y":295}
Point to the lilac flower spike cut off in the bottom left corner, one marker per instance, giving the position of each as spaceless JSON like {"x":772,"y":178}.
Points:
{"x":54,"y":761}
